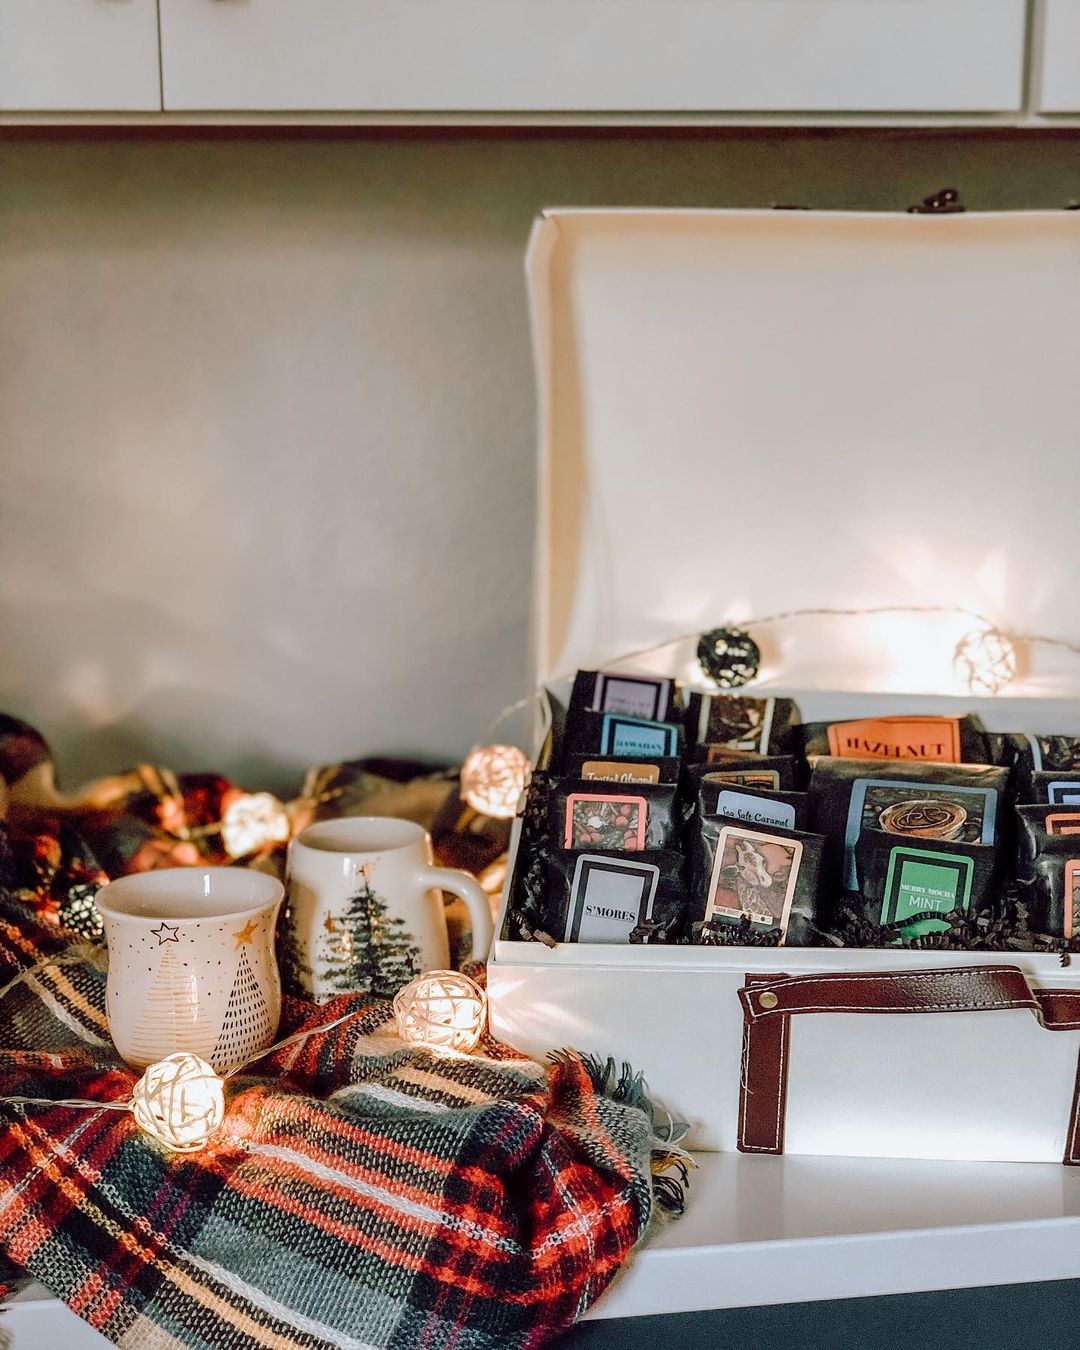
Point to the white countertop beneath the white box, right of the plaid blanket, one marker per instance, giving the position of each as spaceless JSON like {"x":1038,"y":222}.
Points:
{"x":794,"y":1231}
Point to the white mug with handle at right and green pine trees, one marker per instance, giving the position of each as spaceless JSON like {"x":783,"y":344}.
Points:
{"x":365,"y":907}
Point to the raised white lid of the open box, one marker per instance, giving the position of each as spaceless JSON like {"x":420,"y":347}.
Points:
{"x":747,"y":412}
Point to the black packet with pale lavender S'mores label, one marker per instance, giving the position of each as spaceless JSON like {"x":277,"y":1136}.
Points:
{"x":614,"y":898}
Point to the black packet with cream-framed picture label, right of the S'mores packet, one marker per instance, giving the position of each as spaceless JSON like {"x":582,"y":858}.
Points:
{"x":763,"y":880}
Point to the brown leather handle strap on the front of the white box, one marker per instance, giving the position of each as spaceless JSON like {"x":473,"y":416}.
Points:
{"x":770,"y":1001}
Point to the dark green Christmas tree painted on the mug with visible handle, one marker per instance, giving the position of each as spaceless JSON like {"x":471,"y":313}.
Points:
{"x":365,"y":951}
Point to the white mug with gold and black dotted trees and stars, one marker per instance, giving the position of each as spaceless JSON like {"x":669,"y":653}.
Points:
{"x":192,"y":963}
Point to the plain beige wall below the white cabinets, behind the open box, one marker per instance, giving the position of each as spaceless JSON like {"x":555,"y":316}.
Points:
{"x":267,"y":416}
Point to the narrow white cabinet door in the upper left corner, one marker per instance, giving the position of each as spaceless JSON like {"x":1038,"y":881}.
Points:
{"x":79,"y":56}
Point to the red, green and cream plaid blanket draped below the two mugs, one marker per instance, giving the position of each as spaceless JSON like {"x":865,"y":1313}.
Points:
{"x":360,"y":1194}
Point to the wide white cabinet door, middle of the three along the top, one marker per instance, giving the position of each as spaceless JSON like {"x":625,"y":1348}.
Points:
{"x":519,"y":56}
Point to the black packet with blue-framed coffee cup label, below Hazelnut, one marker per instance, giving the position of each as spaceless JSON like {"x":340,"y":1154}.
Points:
{"x":916,"y":801}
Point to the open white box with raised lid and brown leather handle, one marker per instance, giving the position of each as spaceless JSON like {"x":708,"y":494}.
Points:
{"x":753,"y":412}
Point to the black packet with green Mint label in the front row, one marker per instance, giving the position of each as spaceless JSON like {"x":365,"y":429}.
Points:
{"x":913,"y":888}
